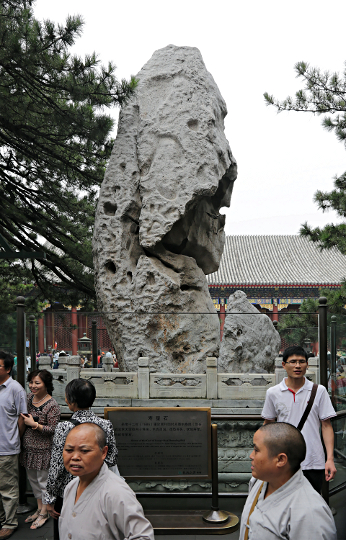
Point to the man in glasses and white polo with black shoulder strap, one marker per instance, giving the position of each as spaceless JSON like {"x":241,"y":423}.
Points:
{"x":287,"y":401}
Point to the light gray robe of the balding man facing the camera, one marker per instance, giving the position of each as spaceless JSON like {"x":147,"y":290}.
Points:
{"x":107,"y":510}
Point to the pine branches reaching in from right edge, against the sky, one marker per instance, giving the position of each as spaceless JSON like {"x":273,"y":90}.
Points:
{"x":324,"y":93}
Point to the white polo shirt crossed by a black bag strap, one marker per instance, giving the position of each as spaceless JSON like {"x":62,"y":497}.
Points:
{"x":280,"y":403}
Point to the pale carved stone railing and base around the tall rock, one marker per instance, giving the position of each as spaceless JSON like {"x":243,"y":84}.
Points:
{"x":225,"y":393}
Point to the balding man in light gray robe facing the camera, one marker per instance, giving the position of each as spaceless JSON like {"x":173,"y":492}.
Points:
{"x":98,"y":503}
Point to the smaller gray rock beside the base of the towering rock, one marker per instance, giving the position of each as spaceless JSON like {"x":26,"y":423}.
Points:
{"x":250,"y":343}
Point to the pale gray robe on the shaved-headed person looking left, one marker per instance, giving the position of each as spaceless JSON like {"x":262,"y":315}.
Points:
{"x":293,"y":512}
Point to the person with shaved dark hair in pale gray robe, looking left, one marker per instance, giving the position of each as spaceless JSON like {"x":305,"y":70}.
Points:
{"x":282,"y":503}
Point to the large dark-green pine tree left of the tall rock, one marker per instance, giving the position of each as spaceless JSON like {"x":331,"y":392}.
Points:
{"x":54,"y":145}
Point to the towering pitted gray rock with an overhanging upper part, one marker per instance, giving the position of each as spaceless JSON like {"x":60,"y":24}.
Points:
{"x":158,"y":230}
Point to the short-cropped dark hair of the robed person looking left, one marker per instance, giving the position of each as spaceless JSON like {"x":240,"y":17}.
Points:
{"x":281,"y":437}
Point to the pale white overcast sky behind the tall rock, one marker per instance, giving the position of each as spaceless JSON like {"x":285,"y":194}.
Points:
{"x":249,"y":47}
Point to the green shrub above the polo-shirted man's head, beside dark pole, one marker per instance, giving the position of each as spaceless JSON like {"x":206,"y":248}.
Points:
{"x":296,"y":329}
